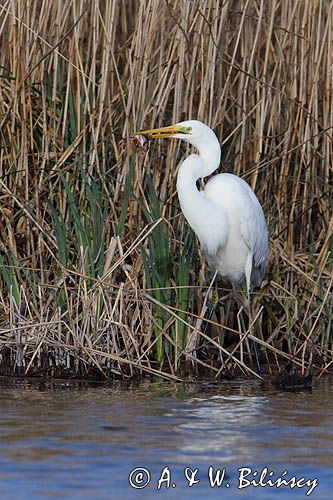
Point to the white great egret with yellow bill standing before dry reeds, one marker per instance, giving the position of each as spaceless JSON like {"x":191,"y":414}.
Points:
{"x":226,"y":216}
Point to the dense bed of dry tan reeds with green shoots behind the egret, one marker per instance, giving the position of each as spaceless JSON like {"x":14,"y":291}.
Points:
{"x":99,"y":273}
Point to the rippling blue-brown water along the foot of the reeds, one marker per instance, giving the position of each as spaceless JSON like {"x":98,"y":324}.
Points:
{"x":65,"y":441}
